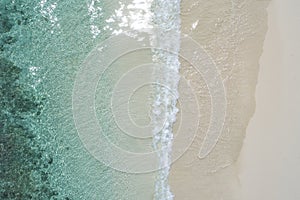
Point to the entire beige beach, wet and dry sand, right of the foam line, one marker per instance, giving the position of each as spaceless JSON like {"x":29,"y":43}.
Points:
{"x":260,"y":159}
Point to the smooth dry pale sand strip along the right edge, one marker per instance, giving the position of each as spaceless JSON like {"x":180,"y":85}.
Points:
{"x":269,"y":162}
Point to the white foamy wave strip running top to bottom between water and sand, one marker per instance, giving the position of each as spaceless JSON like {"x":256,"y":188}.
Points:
{"x":166,"y":39}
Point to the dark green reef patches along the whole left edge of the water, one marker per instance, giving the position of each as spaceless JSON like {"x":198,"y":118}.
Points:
{"x":24,"y":166}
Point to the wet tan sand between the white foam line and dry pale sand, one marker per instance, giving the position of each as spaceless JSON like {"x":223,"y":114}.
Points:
{"x":232,"y":33}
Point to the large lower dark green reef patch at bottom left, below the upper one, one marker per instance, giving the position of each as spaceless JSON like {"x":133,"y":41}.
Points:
{"x":24,"y":166}
